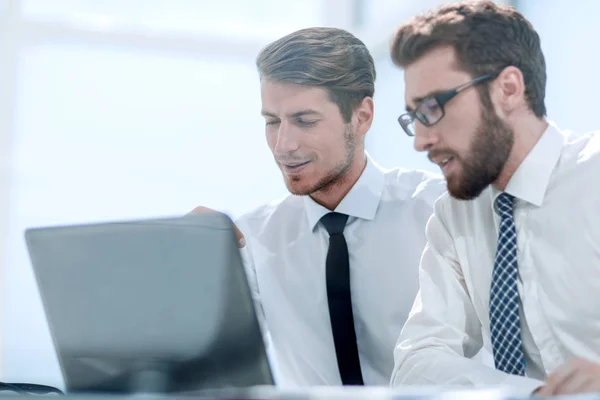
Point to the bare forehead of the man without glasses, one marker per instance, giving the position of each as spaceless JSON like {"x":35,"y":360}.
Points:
{"x":284,"y":97}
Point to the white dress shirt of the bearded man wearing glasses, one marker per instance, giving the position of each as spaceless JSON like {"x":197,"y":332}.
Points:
{"x":557,"y":217}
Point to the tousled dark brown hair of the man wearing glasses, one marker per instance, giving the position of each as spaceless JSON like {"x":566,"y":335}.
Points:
{"x":486,"y":37}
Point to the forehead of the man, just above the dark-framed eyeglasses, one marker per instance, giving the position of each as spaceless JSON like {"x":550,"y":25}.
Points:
{"x":437,"y":70}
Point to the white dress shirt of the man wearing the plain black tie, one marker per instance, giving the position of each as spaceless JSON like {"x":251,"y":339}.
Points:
{"x":285,"y":254}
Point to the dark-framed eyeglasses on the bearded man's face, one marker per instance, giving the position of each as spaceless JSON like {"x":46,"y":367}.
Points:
{"x":431,"y":109}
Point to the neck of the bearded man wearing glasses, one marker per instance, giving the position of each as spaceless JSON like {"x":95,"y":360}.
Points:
{"x":526,"y":134}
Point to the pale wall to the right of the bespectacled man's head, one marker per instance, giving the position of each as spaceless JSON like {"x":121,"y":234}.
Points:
{"x":569,"y":32}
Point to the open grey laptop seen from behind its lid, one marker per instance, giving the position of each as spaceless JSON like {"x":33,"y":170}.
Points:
{"x":152,"y":306}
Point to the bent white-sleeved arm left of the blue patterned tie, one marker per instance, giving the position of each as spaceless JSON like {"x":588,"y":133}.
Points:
{"x":443,"y":331}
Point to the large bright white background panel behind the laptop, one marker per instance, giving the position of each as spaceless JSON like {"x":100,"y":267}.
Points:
{"x":110,"y":133}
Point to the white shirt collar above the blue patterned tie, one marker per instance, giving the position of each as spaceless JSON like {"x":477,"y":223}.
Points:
{"x":531,"y":179}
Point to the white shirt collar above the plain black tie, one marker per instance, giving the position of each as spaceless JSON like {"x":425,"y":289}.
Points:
{"x":360,"y":202}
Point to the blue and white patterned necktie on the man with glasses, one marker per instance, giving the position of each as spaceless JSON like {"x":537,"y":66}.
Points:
{"x":504,"y":296}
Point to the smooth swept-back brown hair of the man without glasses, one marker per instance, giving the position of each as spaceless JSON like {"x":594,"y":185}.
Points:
{"x":326,"y":57}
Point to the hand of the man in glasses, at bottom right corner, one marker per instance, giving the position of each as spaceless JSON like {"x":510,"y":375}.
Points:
{"x":576,"y":376}
